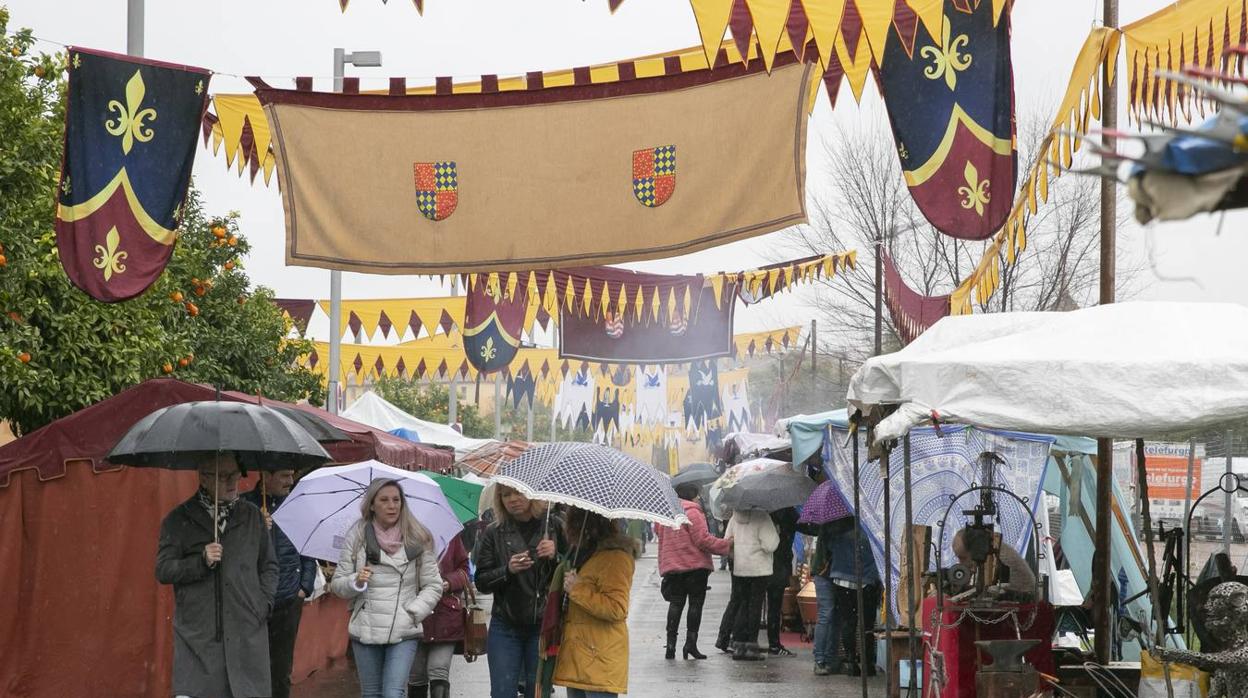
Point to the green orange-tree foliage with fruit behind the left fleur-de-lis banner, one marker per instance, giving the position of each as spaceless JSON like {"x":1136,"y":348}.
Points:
{"x":61,"y":350}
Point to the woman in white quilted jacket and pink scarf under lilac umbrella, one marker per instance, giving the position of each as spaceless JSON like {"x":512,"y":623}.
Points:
{"x":389,"y":571}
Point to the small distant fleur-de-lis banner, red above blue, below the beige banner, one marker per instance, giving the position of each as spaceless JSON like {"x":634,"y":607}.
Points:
{"x":494,"y":320}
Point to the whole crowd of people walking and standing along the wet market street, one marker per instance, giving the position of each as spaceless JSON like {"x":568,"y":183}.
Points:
{"x":560,"y":578}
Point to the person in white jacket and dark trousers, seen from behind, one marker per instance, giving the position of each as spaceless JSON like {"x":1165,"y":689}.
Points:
{"x":754,"y":541}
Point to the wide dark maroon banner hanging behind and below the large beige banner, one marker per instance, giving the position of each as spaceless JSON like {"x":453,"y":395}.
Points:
{"x":675,"y":338}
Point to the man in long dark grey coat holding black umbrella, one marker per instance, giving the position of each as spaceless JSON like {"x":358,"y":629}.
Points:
{"x":240,"y":564}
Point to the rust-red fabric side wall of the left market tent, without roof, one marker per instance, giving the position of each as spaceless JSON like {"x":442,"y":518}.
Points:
{"x":82,"y":612}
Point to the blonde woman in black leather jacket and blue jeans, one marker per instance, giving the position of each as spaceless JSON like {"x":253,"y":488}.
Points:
{"x":516,"y":559}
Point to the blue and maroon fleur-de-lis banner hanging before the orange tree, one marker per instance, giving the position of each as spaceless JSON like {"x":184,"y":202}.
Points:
{"x":130,"y":132}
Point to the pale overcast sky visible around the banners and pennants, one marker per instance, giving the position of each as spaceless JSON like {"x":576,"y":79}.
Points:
{"x":470,"y":38}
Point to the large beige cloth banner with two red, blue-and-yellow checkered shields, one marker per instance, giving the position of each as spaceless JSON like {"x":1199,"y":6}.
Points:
{"x":516,"y":180}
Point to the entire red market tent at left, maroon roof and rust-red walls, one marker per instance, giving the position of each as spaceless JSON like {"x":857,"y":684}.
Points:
{"x":80,"y":609}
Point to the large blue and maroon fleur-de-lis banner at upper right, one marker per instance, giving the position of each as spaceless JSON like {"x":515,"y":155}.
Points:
{"x":950,"y":102}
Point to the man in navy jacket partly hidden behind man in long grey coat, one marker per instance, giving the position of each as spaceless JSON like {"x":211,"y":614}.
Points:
{"x":296,"y":576}
